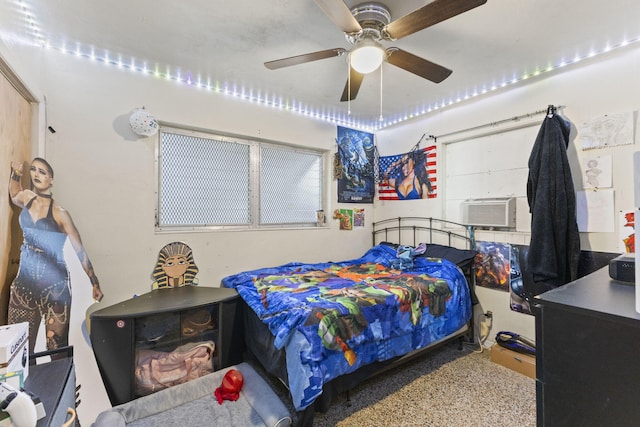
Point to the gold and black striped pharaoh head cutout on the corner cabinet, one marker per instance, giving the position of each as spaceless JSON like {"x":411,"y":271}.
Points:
{"x":175,"y":267}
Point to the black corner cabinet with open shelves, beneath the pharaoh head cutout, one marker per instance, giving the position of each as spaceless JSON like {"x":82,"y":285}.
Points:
{"x":115,"y":331}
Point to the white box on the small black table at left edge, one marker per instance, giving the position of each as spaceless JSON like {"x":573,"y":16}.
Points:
{"x":14,"y":350}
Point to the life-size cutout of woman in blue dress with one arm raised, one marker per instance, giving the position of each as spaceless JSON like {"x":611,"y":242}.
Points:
{"x":42,"y":287}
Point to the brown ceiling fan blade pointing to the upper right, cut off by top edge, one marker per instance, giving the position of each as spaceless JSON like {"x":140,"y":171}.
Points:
{"x":428,"y":15}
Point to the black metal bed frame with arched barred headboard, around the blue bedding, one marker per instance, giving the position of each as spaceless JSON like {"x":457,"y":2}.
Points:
{"x":401,"y":230}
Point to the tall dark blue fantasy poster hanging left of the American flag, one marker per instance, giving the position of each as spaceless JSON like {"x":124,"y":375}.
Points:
{"x":356,"y":166}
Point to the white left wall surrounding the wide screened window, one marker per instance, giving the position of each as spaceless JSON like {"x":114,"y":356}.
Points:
{"x":105,"y":177}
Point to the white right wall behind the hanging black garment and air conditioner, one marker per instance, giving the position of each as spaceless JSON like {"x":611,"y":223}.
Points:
{"x":605,"y":85}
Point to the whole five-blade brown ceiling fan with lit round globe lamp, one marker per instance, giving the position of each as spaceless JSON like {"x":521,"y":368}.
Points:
{"x":366,"y":25}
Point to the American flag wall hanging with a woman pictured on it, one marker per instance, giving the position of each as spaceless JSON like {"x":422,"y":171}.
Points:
{"x":408,"y":176}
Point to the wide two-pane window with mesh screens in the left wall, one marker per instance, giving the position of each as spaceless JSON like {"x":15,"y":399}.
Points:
{"x":214,"y":181}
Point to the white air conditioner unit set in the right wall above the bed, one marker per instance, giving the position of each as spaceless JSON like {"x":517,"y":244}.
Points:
{"x":491,"y":213}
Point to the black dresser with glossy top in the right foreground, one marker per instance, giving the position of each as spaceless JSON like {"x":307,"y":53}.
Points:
{"x":588,"y":354}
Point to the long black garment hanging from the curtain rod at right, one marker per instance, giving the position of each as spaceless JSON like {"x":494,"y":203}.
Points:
{"x":554,"y":251}
